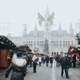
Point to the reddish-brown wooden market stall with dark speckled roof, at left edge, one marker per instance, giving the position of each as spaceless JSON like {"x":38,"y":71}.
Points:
{"x":6,"y":47}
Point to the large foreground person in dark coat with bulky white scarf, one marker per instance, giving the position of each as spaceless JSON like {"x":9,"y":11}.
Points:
{"x":18,"y":67}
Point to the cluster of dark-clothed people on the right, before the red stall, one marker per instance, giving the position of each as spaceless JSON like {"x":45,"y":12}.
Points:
{"x":66,"y":62}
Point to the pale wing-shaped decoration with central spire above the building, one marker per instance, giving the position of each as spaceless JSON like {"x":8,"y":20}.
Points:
{"x":47,"y":20}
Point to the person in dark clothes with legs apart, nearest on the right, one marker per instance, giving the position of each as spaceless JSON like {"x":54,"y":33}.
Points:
{"x":65,"y":64}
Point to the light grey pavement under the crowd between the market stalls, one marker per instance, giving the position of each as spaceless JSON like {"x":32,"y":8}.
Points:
{"x":48,"y":73}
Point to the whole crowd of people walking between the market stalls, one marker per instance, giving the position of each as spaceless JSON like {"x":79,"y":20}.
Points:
{"x":21,"y":62}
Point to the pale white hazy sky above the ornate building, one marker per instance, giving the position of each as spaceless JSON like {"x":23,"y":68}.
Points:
{"x":15,"y":13}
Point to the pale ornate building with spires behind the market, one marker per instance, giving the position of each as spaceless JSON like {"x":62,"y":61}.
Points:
{"x":58,"y":40}
